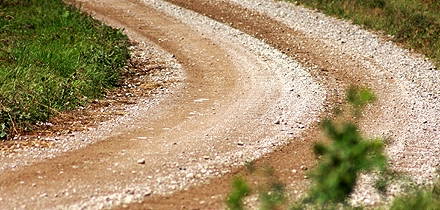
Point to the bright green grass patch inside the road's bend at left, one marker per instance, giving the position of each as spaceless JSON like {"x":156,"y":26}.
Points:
{"x":52,"y":58}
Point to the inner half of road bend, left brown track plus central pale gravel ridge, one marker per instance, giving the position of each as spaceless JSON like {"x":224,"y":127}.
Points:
{"x":222,"y":116}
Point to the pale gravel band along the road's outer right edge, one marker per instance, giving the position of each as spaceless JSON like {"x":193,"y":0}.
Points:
{"x":408,"y":88}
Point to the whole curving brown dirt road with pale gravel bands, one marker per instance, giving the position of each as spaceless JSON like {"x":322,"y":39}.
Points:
{"x":255,"y":85}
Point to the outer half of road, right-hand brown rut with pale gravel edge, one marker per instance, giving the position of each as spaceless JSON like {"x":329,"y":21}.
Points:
{"x":338,"y":55}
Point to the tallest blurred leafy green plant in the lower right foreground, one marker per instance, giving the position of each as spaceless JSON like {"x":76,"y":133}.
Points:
{"x":345,"y":157}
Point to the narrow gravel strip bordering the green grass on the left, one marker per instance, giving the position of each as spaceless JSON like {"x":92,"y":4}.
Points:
{"x":143,"y":52}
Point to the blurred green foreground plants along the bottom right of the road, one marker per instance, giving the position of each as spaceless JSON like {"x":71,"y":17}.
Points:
{"x":341,"y":160}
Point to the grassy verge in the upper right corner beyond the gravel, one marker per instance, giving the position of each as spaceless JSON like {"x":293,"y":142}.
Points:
{"x":415,"y":23}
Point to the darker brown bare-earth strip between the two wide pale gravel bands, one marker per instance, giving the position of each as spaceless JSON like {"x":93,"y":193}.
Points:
{"x":293,"y":155}
